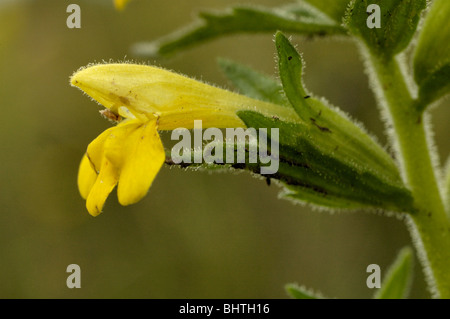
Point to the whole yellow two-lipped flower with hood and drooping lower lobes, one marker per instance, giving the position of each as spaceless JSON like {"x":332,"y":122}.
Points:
{"x":148,"y":99}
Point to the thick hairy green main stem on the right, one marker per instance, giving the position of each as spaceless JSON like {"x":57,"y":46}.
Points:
{"x":430,"y":226}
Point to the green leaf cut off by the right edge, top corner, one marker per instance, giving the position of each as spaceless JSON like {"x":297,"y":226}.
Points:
{"x":432,"y":56}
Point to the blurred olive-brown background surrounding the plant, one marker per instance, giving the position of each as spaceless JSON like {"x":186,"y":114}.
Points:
{"x":196,"y":234}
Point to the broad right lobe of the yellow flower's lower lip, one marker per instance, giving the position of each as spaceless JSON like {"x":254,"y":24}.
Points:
{"x":144,"y":156}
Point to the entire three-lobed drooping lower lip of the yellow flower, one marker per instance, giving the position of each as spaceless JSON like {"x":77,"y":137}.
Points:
{"x":131,"y":152}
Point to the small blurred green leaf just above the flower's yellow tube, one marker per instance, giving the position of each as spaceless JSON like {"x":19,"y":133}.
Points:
{"x":252,"y":83}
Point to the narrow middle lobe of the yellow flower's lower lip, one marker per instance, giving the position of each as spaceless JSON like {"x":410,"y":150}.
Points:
{"x":103,"y":186}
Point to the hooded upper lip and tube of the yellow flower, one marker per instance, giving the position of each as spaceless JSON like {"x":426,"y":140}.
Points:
{"x":176,"y":99}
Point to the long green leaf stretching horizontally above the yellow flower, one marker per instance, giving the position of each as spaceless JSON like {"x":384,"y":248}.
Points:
{"x":299,"y":18}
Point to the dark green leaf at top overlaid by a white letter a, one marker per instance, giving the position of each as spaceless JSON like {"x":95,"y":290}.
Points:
{"x":399,"y":19}
